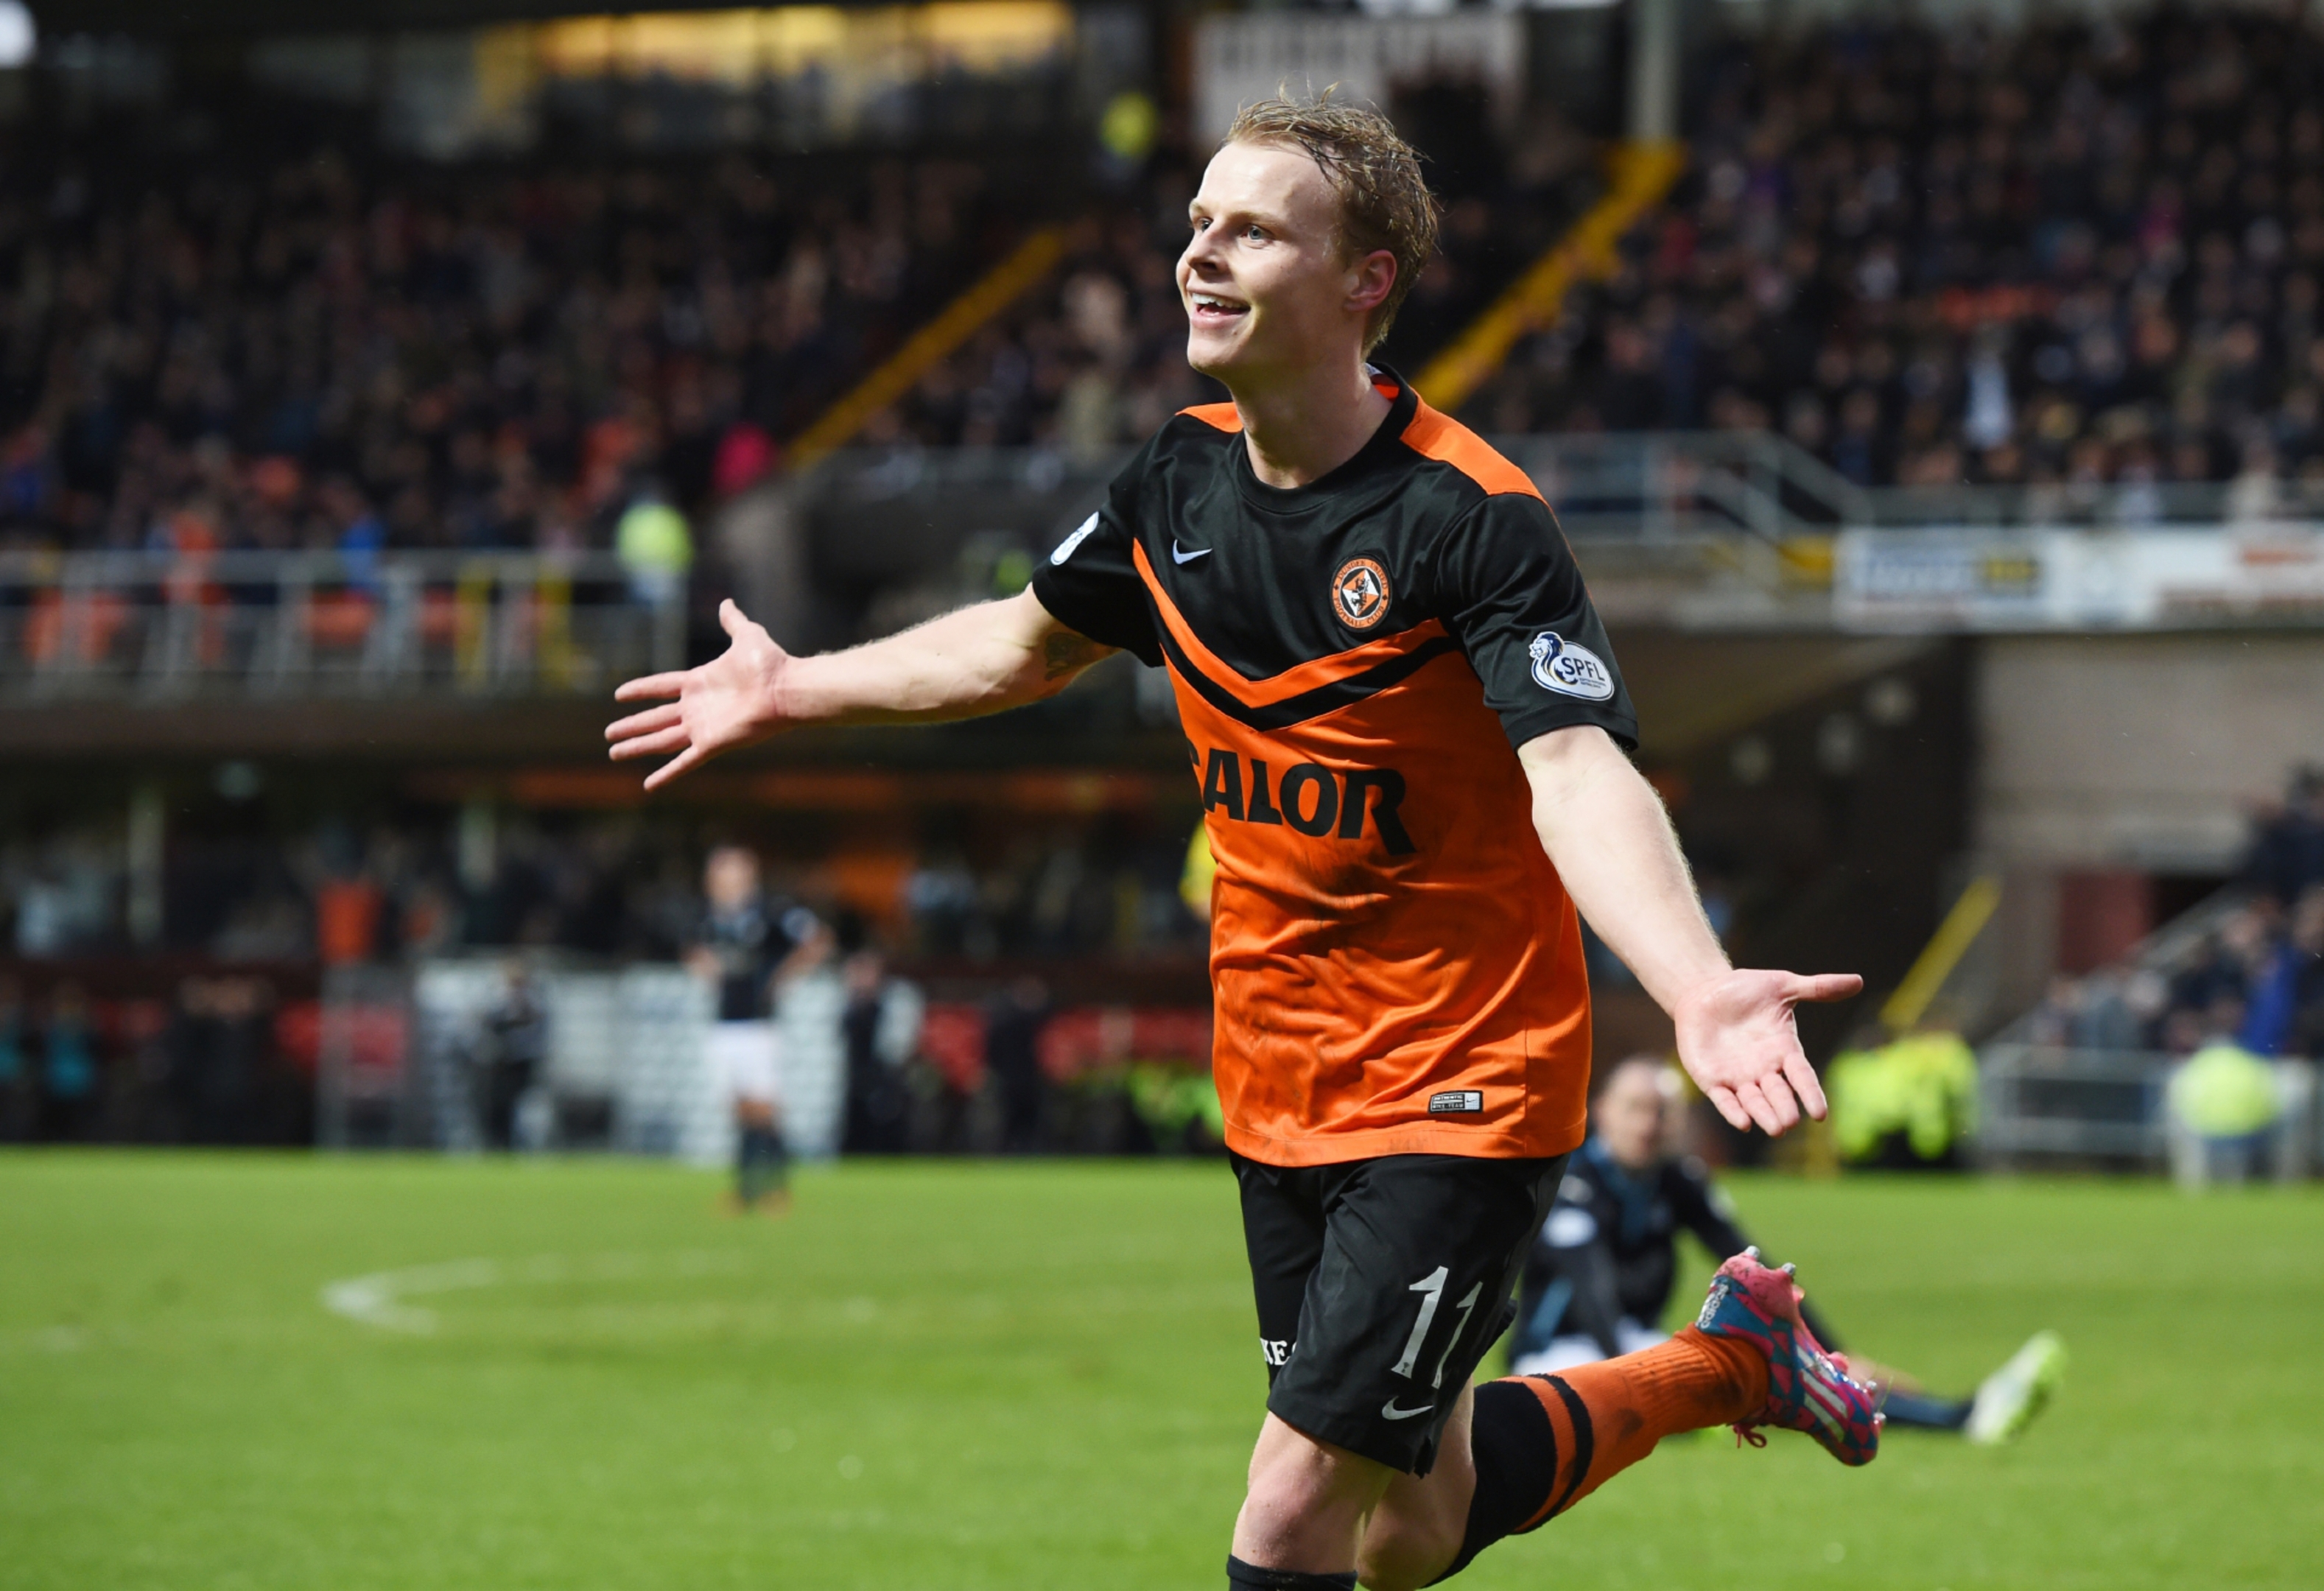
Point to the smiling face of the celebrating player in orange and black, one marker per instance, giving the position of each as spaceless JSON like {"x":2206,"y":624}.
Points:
{"x":1263,"y":278}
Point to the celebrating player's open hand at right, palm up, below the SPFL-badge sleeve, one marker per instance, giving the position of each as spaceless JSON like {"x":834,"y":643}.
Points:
{"x":1740,"y":1044}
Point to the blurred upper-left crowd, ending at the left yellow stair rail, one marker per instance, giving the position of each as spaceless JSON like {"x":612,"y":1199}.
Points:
{"x":333,"y":350}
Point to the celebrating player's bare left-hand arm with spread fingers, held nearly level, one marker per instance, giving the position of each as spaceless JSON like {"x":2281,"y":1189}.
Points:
{"x":977,"y":661}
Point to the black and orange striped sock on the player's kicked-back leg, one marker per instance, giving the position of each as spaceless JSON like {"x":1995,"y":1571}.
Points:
{"x":1542,"y":1444}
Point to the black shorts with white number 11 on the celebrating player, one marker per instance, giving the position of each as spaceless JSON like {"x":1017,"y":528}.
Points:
{"x":1382,"y":1283}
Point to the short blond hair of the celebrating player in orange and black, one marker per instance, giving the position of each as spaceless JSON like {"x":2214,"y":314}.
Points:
{"x":1384,"y":201}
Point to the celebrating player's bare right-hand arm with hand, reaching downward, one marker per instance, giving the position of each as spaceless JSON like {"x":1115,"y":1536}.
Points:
{"x":1612,"y":842}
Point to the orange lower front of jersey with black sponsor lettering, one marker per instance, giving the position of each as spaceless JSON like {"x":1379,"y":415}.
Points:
{"x":1396,"y":967}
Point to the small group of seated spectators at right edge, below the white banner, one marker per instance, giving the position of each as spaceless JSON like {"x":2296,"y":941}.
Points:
{"x":2253,"y":981}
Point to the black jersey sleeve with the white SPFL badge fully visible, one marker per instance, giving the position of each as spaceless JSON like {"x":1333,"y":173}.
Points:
{"x":1512,"y":596}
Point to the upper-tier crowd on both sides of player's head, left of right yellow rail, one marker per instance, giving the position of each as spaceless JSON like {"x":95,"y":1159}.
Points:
{"x":229,"y":347}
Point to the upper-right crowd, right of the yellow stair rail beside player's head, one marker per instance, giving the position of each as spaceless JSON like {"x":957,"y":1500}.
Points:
{"x":2079,"y":254}
